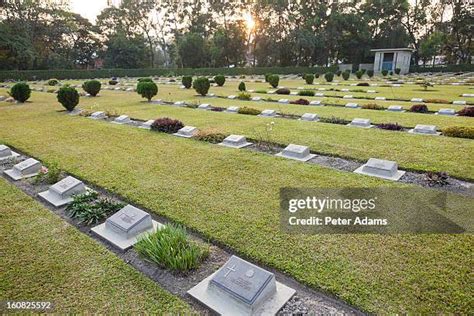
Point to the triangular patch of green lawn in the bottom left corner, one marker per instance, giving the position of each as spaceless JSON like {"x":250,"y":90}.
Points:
{"x":45,"y":259}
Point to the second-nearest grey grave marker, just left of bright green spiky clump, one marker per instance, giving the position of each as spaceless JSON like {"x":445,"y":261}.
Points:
{"x":124,"y":228}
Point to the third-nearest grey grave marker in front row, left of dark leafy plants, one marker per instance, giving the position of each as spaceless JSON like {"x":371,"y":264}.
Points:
{"x":62,"y":192}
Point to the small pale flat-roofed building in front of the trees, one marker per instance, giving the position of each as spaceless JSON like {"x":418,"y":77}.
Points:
{"x":391,"y":58}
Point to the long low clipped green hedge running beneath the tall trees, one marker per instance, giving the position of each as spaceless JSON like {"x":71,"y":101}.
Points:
{"x":108,"y":73}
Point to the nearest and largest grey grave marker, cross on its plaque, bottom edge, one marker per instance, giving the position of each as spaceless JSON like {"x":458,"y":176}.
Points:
{"x":242,"y":288}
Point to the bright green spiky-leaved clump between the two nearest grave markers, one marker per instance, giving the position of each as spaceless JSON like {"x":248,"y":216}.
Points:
{"x":170,"y":248}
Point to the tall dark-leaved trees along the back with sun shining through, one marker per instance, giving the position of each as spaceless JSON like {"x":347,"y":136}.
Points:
{"x":44,"y":34}
